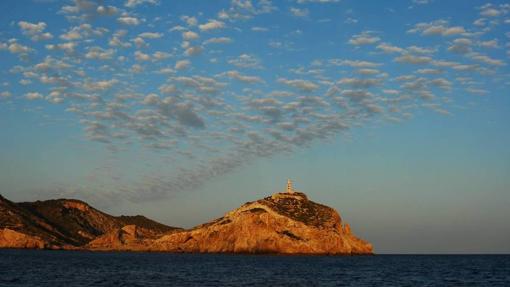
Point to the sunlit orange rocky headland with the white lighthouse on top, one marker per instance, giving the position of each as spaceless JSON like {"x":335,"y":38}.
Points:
{"x":282,"y":224}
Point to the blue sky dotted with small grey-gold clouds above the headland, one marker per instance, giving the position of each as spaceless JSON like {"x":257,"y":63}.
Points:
{"x":395,"y":113}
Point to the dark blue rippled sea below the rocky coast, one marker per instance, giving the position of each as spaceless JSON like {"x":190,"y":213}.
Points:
{"x":68,"y":268}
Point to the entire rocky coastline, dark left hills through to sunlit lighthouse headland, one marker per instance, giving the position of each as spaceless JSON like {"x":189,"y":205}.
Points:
{"x":284,"y":223}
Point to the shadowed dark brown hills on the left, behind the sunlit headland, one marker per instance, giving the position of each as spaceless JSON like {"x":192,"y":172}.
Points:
{"x":61,"y":224}
